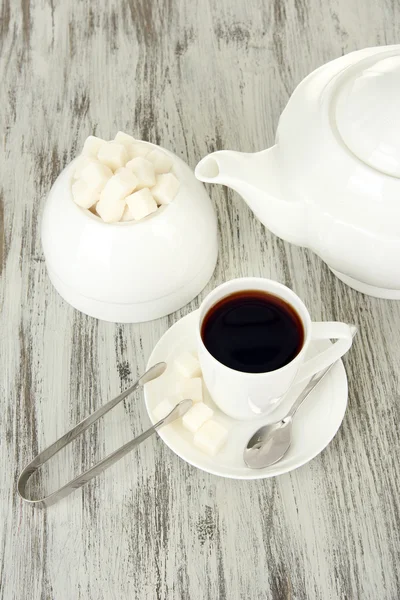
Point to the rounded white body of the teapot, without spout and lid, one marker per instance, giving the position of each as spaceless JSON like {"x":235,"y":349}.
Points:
{"x":352,"y":221}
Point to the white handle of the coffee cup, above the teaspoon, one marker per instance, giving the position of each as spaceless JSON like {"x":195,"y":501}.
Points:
{"x":328,"y":330}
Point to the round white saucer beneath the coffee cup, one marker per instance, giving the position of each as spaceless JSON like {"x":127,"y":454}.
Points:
{"x":314,"y":426}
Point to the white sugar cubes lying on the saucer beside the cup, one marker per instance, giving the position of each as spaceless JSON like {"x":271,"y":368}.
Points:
{"x":209,"y":435}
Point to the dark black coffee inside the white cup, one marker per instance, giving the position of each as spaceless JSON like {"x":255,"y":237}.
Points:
{"x":253,"y":332}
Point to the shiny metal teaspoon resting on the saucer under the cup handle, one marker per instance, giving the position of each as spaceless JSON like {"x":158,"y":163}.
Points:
{"x":269,"y":444}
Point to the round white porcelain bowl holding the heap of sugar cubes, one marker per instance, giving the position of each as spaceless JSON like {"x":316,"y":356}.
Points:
{"x":132,"y":271}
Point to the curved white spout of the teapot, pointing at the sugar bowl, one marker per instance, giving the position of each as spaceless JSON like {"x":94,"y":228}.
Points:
{"x":256,"y":178}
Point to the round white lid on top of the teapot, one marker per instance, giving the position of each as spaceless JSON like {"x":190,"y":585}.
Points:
{"x":368,"y":112}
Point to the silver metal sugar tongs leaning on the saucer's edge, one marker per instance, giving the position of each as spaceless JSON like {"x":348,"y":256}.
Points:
{"x":177,"y":412}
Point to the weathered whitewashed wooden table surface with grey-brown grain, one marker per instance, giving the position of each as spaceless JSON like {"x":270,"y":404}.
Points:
{"x":193,"y":77}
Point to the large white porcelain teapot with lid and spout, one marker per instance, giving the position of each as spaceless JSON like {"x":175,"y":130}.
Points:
{"x":332,"y":181}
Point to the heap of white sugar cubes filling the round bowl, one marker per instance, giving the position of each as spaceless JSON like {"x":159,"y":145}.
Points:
{"x":124,"y":179}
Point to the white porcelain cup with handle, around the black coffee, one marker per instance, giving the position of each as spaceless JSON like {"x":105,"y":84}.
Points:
{"x":246,"y":396}
